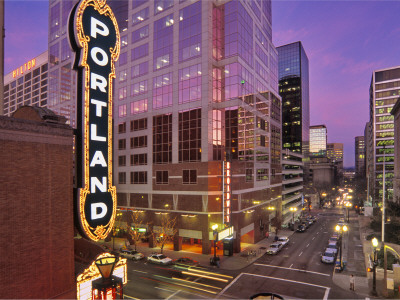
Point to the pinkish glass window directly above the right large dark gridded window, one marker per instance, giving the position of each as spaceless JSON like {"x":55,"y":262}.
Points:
{"x":190,"y":84}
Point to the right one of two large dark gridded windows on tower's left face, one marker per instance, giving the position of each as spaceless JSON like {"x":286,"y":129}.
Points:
{"x":190,"y":135}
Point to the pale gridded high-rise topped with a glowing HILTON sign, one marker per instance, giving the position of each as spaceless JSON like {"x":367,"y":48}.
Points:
{"x":27,"y":85}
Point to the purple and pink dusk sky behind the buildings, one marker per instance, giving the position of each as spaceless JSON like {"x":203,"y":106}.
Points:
{"x":344,"y":41}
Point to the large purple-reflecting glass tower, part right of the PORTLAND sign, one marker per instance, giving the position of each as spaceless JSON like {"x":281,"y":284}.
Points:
{"x":197,"y":88}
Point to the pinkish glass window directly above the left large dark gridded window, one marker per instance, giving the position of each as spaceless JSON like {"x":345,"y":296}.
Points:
{"x":162,"y":91}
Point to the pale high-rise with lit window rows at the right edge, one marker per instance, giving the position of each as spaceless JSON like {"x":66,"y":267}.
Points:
{"x":384,"y":92}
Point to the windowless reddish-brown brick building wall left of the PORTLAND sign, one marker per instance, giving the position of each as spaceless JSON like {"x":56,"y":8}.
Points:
{"x":36,"y":209}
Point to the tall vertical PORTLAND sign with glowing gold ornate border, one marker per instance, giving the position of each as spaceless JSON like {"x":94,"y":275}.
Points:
{"x":94,"y":37}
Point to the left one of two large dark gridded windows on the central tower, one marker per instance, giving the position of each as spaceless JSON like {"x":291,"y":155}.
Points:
{"x":162,"y":139}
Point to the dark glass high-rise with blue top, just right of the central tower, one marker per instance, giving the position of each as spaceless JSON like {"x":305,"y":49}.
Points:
{"x":294,"y":90}
